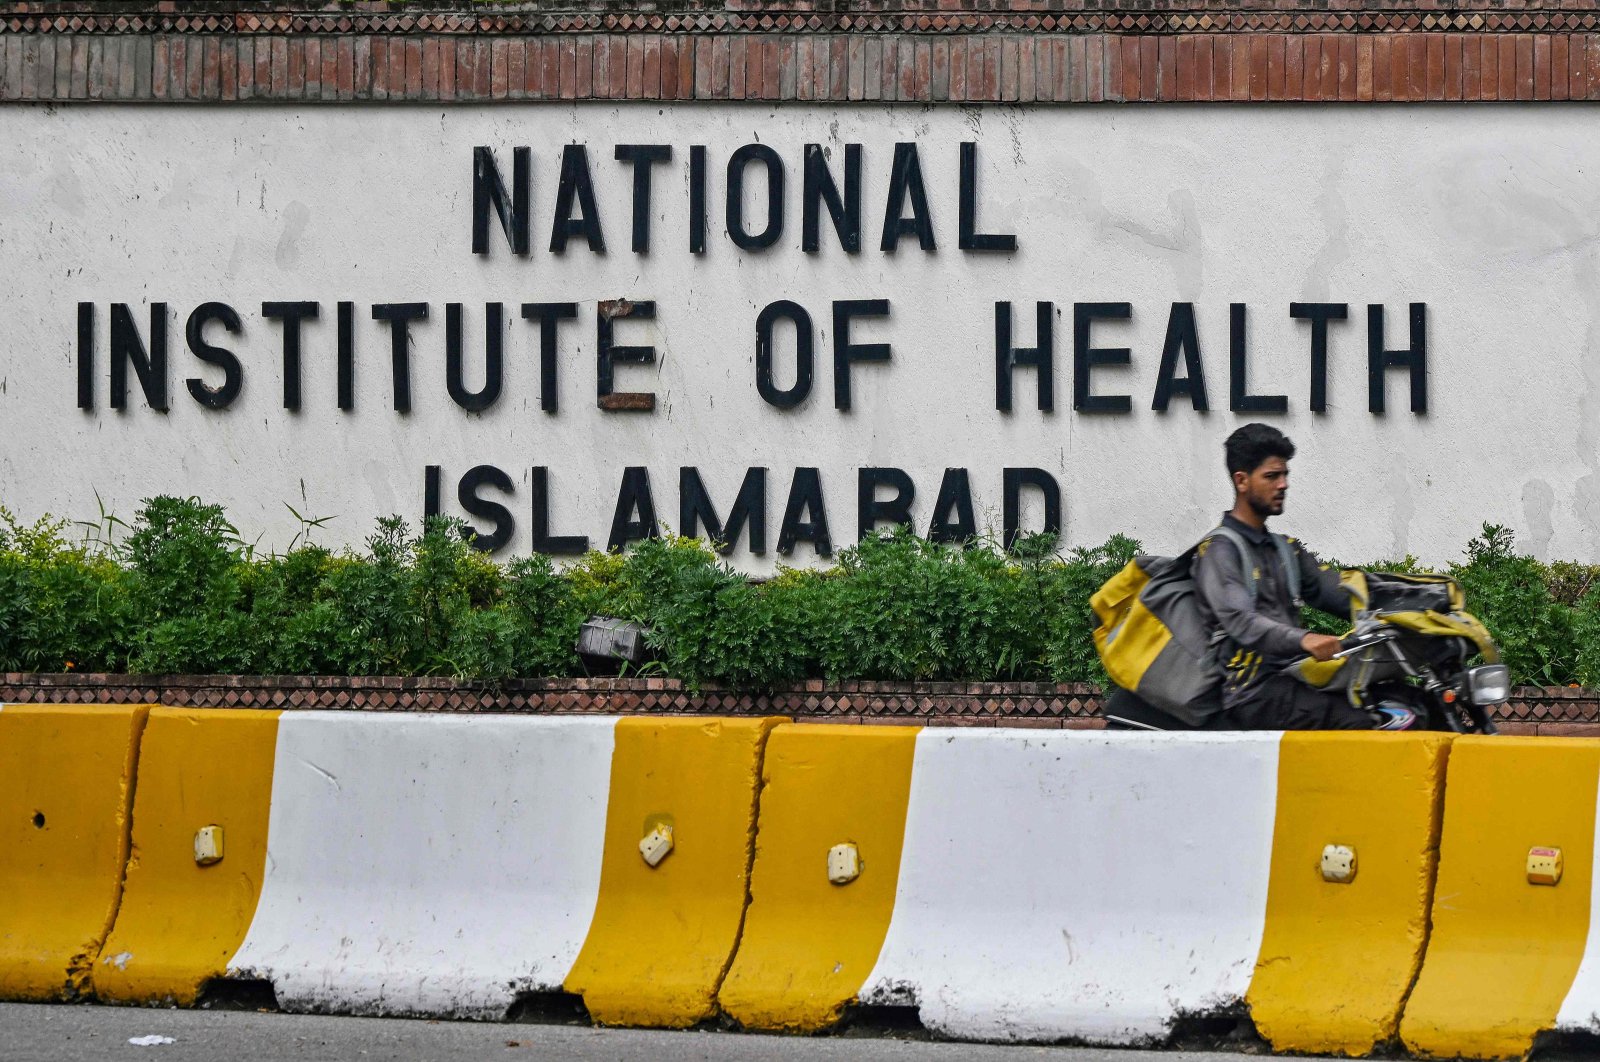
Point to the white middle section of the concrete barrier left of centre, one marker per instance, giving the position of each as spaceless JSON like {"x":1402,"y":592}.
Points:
{"x":428,"y":864}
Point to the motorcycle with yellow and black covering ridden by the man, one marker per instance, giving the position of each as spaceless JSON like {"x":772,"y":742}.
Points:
{"x":1414,"y":645}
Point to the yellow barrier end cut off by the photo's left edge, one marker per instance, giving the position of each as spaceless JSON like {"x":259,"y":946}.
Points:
{"x":66,"y":775}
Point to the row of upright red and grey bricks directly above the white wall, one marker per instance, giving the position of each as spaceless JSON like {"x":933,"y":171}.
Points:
{"x":999,"y":68}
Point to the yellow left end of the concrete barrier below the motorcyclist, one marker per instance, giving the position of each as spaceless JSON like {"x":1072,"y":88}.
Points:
{"x":809,"y":944}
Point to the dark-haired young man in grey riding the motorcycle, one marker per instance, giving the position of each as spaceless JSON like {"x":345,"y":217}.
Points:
{"x":1263,"y":633}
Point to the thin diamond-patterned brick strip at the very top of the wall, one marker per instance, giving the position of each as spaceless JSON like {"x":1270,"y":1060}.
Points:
{"x":791,"y":17}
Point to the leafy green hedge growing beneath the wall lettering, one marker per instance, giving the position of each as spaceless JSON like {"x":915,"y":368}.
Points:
{"x":180,"y":593}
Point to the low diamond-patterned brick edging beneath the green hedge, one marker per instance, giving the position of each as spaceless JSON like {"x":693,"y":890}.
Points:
{"x":1532,"y":711}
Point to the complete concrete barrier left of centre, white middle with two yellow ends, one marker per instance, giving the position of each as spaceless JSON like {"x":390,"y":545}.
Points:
{"x":428,"y":864}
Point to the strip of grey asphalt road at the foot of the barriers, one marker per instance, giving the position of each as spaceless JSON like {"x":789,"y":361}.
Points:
{"x":90,"y":1034}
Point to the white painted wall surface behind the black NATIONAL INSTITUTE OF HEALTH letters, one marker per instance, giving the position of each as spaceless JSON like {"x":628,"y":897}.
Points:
{"x":1487,"y":214}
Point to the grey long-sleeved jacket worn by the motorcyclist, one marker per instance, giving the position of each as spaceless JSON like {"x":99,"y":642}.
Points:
{"x":1258,"y":637}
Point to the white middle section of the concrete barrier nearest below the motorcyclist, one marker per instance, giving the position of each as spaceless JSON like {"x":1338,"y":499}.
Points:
{"x":1070,"y":885}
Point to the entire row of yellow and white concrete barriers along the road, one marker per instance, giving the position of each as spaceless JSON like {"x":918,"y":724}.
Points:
{"x":1010,"y":885}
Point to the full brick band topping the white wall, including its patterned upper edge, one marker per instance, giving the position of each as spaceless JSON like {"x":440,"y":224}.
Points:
{"x":818,"y":50}
